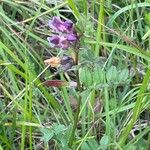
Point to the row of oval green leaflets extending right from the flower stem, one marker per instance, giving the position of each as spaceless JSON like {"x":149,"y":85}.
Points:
{"x":95,"y":75}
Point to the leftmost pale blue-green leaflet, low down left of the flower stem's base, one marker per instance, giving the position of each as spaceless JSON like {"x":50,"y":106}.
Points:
{"x":48,"y":134}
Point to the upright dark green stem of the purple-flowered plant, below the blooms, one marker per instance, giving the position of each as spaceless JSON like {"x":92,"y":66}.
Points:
{"x":76,"y":118}
